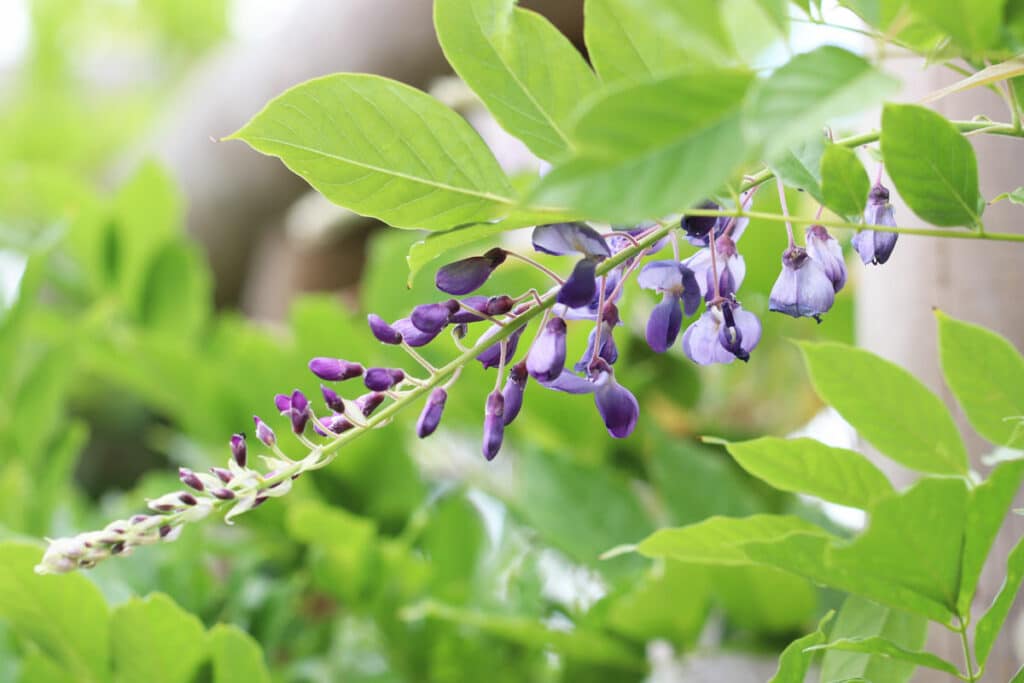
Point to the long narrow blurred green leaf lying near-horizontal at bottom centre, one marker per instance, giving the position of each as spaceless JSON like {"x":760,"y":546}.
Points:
{"x":579,"y":645}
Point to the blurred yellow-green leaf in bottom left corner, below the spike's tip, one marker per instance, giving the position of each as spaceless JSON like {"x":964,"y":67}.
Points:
{"x":64,"y":617}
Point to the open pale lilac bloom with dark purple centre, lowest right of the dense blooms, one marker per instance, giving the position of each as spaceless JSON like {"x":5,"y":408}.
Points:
{"x":722,"y":334}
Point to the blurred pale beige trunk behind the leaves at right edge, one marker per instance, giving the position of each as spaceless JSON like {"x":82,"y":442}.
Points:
{"x":973,"y":281}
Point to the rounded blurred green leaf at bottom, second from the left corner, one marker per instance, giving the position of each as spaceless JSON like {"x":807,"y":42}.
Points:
{"x":156,"y":641}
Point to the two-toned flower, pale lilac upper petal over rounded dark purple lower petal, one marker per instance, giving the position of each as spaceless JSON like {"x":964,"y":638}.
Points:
{"x":681,"y":294}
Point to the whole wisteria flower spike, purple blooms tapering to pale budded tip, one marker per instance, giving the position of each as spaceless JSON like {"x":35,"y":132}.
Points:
{"x":589,"y":297}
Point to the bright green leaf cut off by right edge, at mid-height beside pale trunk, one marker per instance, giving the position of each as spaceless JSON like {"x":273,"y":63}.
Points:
{"x":987,"y":374}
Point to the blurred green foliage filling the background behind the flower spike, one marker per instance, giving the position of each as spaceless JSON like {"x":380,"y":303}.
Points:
{"x":404,"y":561}
